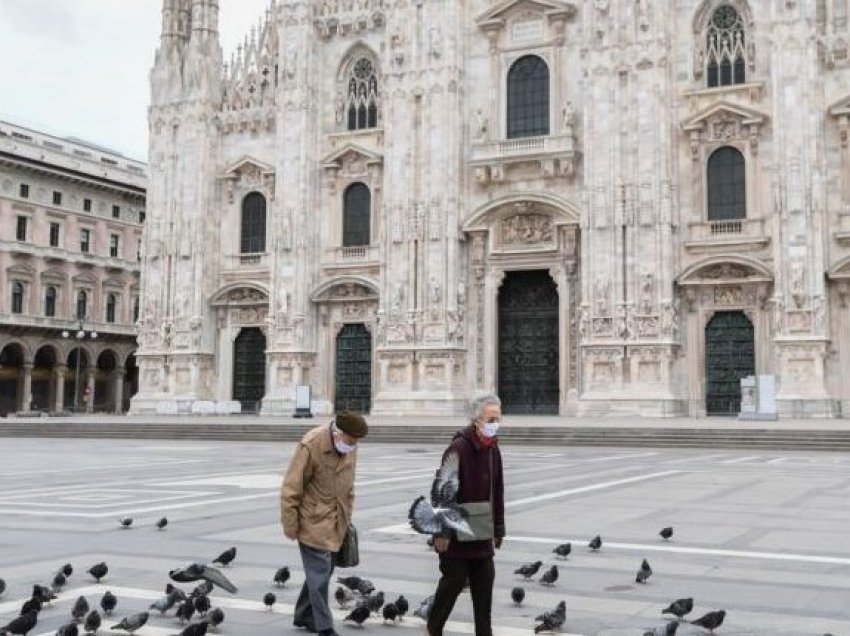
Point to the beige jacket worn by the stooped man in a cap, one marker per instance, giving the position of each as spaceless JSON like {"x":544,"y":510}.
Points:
{"x":317,"y":495}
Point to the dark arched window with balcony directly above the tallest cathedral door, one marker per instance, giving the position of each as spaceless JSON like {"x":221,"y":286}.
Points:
{"x":528,"y":98}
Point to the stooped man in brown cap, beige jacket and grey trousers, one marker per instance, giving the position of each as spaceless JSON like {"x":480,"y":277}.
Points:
{"x":316,"y":504}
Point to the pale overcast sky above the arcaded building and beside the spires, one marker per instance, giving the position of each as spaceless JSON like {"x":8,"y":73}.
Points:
{"x":79,"y":68}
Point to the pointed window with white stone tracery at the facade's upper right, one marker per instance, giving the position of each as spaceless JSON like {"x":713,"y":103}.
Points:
{"x":726,"y":53}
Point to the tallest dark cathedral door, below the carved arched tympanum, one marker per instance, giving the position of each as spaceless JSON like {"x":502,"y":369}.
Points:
{"x":528,"y":343}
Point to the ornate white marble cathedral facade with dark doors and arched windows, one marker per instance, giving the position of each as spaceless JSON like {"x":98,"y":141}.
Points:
{"x":590,"y":208}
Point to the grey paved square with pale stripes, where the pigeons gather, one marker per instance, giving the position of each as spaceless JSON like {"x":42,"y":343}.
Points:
{"x":762,"y":535}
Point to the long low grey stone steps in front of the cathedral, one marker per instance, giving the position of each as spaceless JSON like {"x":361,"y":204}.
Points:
{"x":801,"y":439}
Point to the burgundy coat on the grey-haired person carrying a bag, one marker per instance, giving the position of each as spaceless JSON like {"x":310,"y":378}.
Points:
{"x":474,"y":480}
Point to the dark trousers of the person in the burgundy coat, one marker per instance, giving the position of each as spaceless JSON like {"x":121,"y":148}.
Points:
{"x":455,"y":572}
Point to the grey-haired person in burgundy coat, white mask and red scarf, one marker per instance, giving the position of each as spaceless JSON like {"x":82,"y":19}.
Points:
{"x":480,"y":480}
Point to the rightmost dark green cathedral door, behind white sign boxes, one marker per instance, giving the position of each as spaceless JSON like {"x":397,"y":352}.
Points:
{"x":729,"y":357}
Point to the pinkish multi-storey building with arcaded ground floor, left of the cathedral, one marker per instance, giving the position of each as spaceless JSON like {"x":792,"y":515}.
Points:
{"x":71,"y":217}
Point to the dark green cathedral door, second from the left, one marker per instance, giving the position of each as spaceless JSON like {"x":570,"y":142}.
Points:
{"x":353,"y":369}
